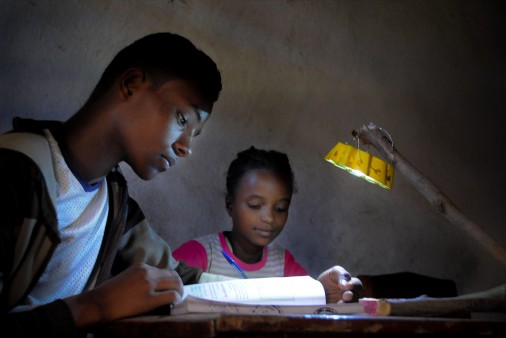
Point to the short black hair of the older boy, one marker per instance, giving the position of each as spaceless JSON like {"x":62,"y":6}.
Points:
{"x":164,"y":56}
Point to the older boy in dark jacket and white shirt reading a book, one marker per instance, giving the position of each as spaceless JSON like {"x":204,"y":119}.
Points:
{"x":76,"y":250}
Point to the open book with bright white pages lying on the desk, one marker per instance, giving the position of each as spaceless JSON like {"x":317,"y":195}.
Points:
{"x":274,"y":295}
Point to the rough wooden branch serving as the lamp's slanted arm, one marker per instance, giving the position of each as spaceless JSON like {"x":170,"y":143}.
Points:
{"x":371,"y":134}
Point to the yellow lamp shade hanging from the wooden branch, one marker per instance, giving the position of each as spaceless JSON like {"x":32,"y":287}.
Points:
{"x":362,"y":164}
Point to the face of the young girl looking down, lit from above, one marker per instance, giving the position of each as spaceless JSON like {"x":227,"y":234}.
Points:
{"x":260,"y":208}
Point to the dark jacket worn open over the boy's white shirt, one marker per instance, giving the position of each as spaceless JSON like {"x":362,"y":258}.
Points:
{"x":29,"y":233}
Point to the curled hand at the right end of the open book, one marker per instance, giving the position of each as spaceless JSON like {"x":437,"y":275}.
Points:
{"x":339,"y":286}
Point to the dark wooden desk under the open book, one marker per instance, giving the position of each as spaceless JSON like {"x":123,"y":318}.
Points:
{"x":229,"y":325}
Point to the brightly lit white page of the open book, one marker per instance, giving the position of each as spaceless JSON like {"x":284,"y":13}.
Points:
{"x":303,"y":290}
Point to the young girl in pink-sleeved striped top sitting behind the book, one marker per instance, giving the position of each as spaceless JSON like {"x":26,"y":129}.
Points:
{"x":260,"y":184}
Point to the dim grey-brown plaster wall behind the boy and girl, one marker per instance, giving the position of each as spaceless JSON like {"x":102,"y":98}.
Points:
{"x":298,"y":77}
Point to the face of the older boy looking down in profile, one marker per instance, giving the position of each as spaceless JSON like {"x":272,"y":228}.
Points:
{"x":160,"y":125}
